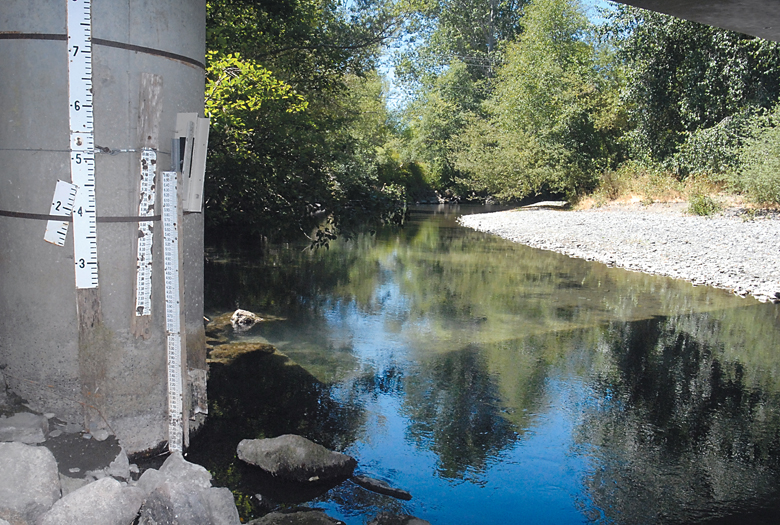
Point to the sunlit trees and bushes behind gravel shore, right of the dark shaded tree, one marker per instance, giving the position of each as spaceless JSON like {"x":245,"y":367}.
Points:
{"x":565,"y":102}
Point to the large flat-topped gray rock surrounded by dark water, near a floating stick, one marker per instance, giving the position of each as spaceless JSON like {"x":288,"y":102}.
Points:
{"x":296,"y":458}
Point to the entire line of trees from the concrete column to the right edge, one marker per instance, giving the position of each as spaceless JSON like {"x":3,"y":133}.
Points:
{"x":508,"y":99}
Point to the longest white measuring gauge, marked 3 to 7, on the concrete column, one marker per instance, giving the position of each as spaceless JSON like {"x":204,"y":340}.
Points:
{"x":82,"y":142}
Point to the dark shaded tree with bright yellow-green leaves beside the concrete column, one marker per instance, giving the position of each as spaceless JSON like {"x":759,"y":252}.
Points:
{"x":281,"y":156}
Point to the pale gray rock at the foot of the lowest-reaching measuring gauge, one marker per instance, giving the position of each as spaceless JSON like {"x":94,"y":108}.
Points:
{"x":180,"y":493}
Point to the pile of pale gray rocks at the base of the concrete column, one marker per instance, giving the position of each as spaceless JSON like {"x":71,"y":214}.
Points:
{"x":36,"y":488}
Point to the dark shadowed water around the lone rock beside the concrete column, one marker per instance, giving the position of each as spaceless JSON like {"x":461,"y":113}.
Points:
{"x":261,"y":396}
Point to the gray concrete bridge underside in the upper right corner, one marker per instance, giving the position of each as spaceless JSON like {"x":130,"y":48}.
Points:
{"x":759,"y":18}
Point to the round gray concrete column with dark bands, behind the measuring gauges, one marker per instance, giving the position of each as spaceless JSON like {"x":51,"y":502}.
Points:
{"x":97,"y":369}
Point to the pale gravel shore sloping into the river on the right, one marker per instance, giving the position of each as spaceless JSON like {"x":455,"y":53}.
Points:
{"x":725,"y":251}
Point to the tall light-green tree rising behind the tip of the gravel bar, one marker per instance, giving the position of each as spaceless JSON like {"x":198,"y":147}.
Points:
{"x":543,"y":131}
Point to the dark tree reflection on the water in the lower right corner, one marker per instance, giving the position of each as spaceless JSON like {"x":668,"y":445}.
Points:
{"x":678,"y":435}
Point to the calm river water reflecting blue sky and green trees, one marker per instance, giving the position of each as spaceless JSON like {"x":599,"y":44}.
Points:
{"x":497,"y":383}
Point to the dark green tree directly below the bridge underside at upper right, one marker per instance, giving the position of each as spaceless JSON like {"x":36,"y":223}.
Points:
{"x":683,"y":77}
